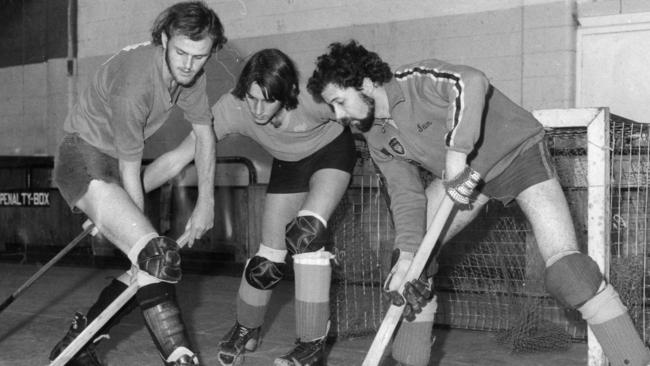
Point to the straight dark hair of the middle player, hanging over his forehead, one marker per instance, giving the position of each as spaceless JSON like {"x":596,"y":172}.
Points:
{"x":276,"y":75}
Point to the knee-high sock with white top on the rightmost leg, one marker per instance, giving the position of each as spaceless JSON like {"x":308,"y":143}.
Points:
{"x":609,"y":320}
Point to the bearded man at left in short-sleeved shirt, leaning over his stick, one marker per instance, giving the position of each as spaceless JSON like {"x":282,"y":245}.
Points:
{"x":97,"y":168}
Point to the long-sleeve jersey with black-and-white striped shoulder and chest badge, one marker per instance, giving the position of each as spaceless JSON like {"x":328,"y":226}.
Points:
{"x":436,"y":107}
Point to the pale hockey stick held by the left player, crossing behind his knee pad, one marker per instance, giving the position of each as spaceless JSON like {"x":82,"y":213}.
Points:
{"x":102,"y":319}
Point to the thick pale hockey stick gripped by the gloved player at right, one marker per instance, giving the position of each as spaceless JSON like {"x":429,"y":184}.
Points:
{"x":394,"y":313}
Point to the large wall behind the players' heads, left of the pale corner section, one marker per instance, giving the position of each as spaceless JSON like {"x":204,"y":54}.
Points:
{"x":527,"y":50}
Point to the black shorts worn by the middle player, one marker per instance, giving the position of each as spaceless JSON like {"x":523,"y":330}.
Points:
{"x":293,"y":176}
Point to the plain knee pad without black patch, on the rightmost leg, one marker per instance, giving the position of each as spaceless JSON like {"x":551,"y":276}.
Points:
{"x":573,"y":279}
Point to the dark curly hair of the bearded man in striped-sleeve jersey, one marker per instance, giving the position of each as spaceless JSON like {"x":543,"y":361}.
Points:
{"x":346,"y":65}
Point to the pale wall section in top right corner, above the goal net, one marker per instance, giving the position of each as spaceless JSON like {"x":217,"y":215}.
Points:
{"x":612,"y":49}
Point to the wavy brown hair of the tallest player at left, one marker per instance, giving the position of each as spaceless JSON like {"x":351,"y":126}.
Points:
{"x":192,"y":19}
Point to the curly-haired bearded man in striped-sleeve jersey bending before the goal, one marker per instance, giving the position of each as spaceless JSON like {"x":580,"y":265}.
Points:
{"x":449,"y":120}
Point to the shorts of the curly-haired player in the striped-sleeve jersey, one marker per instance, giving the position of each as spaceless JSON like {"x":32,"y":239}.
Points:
{"x":531,"y":167}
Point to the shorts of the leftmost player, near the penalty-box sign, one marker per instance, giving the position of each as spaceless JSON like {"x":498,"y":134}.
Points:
{"x":77,"y":163}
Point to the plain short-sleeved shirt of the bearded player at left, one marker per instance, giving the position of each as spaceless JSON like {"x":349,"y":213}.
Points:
{"x":127,"y":101}
